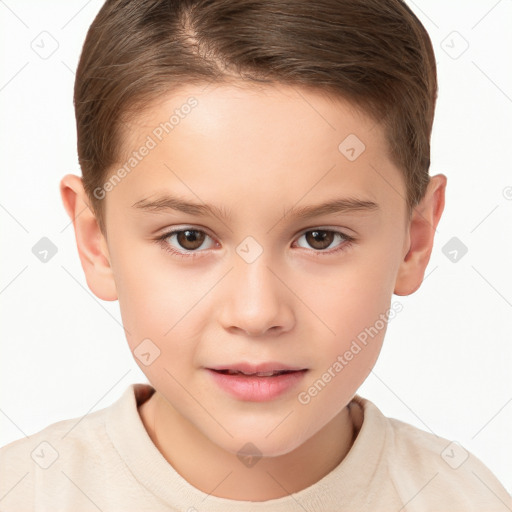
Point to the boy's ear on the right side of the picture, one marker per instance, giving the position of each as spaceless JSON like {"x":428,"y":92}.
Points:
{"x":421,"y":230}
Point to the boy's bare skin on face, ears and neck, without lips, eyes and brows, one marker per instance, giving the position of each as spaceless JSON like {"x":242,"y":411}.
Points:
{"x":256,"y":152}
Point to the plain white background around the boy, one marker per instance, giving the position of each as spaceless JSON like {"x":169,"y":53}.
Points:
{"x":447,"y":359}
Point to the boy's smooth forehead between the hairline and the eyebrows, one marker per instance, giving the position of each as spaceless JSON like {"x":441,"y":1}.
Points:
{"x":228,"y":144}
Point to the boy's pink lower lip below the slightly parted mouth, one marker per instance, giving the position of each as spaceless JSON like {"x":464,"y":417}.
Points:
{"x":257,"y":389}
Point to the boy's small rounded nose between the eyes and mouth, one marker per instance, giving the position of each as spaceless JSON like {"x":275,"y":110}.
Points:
{"x":256,"y":300}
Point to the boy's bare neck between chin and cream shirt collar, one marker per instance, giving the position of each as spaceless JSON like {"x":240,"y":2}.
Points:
{"x":217,"y":472}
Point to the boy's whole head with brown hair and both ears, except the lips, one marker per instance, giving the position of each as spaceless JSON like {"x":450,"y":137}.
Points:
{"x":262,"y":110}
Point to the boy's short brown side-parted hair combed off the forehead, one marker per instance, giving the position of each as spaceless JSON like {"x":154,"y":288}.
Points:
{"x":374,"y":53}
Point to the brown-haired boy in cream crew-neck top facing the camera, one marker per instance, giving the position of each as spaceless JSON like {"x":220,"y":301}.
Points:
{"x":291,"y":139}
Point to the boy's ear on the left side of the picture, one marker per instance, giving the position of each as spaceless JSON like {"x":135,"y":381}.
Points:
{"x":91,"y":243}
